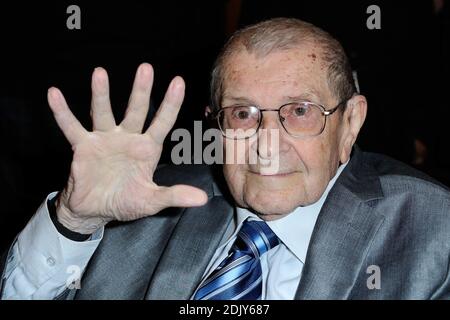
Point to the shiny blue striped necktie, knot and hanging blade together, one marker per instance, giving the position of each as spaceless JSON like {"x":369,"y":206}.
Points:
{"x":239,"y":276}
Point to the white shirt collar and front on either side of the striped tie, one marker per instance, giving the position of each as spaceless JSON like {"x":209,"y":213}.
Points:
{"x":282,"y":265}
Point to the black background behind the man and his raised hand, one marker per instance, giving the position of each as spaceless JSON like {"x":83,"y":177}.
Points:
{"x":403,"y":70}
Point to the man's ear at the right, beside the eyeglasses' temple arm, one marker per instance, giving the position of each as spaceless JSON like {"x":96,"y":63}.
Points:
{"x":353,"y":118}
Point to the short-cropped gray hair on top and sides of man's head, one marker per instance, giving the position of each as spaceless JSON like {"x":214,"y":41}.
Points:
{"x":282,"y":34}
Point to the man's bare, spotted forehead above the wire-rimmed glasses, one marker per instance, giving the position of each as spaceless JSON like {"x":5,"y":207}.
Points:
{"x":280,"y":74}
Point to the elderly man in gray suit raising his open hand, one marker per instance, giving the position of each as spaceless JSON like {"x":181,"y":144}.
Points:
{"x":327,"y":222}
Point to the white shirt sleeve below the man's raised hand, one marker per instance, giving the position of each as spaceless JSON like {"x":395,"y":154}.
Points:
{"x":41,"y":261}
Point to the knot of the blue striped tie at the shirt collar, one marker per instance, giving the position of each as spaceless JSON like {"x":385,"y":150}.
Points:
{"x":257,"y":237}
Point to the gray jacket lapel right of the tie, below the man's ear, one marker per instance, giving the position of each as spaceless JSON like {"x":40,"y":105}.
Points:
{"x":342,"y":235}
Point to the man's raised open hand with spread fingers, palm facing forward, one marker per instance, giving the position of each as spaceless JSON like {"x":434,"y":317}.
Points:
{"x":111,"y":176}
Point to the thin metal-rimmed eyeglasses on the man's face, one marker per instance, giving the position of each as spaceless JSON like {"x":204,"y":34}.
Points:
{"x":299,"y":119}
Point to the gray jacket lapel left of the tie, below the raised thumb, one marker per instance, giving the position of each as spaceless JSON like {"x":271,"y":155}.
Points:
{"x":191,"y":248}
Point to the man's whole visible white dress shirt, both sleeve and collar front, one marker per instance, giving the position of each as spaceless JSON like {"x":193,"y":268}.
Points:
{"x":42,"y":262}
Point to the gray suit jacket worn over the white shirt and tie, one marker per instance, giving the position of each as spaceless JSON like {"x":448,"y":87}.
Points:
{"x":379,"y":213}
